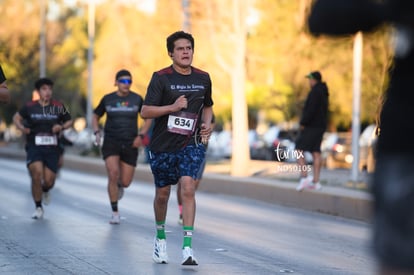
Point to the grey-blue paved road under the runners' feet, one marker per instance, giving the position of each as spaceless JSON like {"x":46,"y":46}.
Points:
{"x":233,"y":235}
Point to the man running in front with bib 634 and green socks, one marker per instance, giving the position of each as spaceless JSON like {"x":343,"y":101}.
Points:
{"x":176,"y":98}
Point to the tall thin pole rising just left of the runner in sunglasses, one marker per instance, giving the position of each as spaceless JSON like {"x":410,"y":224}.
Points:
{"x":91,"y":35}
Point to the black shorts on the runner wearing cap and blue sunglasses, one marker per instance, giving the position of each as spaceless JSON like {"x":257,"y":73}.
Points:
{"x":123,"y":149}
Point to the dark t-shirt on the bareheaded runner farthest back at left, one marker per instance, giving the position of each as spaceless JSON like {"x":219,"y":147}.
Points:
{"x":40,"y":119}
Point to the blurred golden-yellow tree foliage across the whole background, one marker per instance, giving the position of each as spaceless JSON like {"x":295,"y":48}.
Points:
{"x":277,"y":53}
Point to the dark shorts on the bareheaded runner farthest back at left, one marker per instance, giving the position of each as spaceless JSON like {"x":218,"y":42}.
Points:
{"x":49,"y":155}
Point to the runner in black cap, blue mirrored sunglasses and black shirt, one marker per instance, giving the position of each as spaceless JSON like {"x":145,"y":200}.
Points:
{"x":121,"y":138}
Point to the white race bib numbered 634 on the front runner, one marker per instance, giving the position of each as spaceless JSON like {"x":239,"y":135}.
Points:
{"x":182,"y":123}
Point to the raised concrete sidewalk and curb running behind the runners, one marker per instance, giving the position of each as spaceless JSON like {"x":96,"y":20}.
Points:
{"x":334,"y":199}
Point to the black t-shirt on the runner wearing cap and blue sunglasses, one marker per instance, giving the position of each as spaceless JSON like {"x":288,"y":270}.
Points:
{"x":122,"y":115}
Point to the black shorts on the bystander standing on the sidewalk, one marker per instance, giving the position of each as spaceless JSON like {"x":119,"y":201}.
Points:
{"x":310,"y":139}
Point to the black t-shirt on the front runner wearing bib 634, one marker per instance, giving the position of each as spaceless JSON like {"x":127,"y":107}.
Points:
{"x":164,"y":88}
